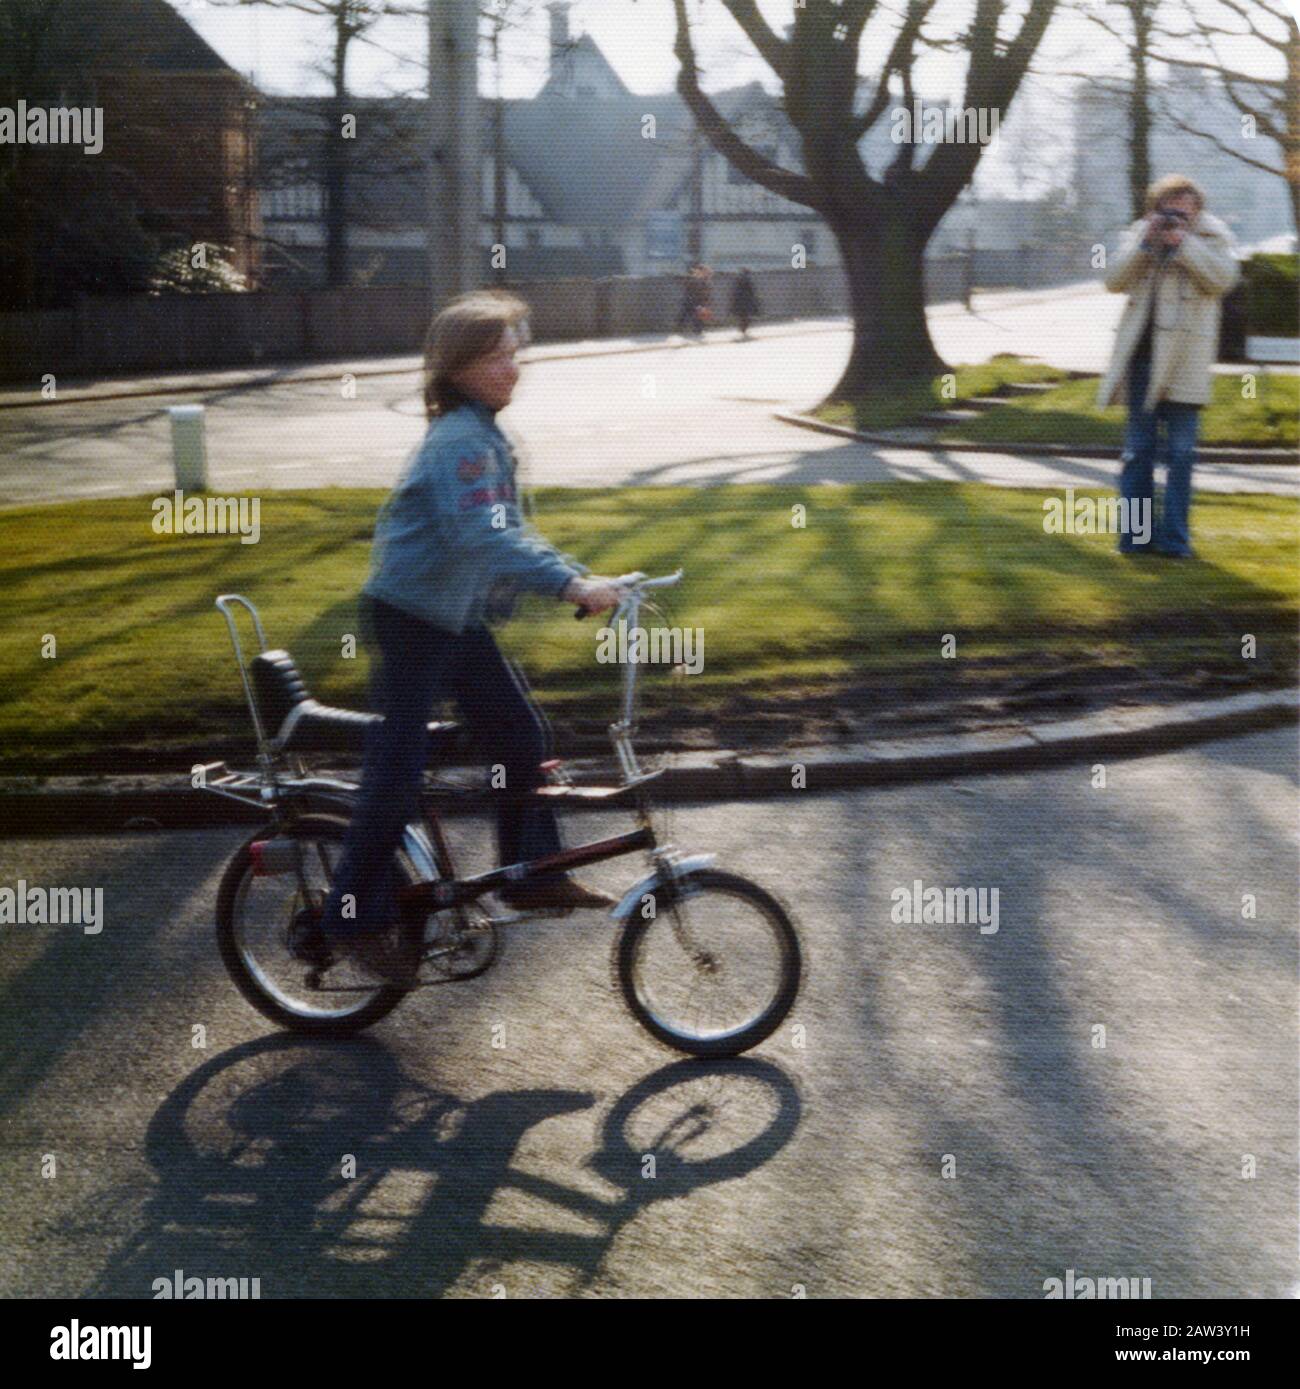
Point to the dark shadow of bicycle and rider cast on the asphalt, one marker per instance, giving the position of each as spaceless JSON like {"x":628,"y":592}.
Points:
{"x":251,"y":1174}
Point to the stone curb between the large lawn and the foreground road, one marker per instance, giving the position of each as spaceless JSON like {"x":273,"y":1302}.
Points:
{"x":130,"y":804}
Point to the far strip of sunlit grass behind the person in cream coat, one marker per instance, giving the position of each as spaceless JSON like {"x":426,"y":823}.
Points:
{"x":1069,"y":415}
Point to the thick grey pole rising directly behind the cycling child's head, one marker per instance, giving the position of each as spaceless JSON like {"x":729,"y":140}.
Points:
{"x":453,"y":145}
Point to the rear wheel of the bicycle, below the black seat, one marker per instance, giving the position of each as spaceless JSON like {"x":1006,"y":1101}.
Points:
{"x":260,"y":931}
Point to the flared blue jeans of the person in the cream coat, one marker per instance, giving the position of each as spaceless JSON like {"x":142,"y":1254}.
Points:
{"x":1172,"y":531}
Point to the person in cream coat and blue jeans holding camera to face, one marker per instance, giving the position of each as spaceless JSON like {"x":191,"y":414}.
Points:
{"x":1176,"y":265}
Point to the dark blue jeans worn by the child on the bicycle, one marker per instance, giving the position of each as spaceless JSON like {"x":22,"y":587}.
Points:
{"x":420,"y":666}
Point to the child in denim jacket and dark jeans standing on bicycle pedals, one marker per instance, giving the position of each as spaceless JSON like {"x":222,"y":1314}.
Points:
{"x":452,"y":551}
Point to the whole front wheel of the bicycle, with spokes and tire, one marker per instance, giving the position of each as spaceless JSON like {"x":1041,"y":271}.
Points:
{"x":709,"y":965}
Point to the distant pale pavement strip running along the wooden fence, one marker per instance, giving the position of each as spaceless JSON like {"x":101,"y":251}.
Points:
{"x":237,"y":379}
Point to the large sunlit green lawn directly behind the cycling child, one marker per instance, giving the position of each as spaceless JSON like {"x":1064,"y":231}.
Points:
{"x":873,"y":583}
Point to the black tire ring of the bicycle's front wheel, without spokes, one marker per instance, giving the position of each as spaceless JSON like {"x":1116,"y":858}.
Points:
{"x":631,"y":941}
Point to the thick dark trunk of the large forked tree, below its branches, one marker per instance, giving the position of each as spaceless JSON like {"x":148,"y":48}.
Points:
{"x":885,"y":269}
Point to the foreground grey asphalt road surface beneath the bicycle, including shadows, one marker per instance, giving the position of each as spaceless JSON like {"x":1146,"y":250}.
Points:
{"x":522,"y":1169}
